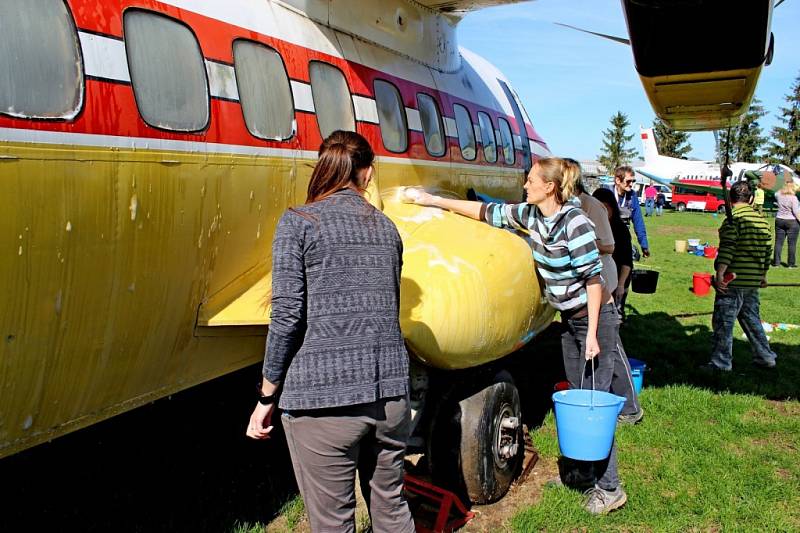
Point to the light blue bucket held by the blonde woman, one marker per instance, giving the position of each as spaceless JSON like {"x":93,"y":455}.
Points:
{"x":585,"y":421}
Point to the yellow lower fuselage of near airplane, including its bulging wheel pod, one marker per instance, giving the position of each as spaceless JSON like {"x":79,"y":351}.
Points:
{"x":110,"y":256}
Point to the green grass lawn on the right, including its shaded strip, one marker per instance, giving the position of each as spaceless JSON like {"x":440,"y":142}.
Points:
{"x":715,"y":452}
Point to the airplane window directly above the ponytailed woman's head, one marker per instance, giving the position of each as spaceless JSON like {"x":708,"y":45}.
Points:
{"x":332,"y":100}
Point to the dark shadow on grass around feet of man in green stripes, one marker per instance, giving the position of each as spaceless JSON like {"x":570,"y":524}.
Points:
{"x":673,"y":351}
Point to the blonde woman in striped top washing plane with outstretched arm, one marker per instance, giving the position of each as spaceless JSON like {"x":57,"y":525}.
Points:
{"x":567,"y":258}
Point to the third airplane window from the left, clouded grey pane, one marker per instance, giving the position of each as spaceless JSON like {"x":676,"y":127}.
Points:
{"x":264,"y":90}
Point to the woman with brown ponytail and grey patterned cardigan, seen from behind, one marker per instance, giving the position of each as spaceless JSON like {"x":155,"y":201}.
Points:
{"x":335,"y":353}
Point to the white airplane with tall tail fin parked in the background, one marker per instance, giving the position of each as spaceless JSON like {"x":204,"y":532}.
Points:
{"x":701,"y":174}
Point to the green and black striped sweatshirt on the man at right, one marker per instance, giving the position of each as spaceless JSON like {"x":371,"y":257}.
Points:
{"x":745,"y":245}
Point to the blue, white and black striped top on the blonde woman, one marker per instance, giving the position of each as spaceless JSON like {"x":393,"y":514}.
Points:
{"x":564,"y":248}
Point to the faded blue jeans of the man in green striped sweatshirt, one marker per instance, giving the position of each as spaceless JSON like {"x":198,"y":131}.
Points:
{"x":742,"y":304}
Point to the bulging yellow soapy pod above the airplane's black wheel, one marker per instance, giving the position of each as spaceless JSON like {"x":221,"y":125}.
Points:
{"x":469,"y":292}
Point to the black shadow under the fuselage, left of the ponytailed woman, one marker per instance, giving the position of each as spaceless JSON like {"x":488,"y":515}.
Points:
{"x":179,"y":464}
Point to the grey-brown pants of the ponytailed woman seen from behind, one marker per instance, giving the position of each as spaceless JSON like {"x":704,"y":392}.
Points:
{"x":328,"y":446}
